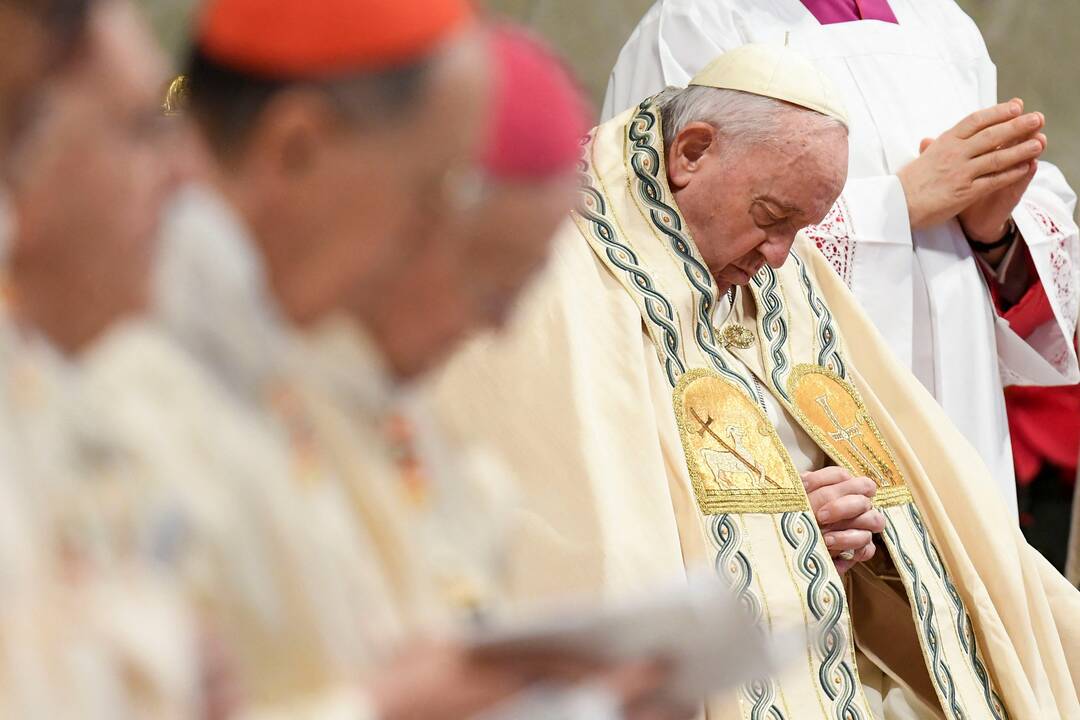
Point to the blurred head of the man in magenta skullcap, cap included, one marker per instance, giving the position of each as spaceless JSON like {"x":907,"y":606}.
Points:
{"x":477,"y":260}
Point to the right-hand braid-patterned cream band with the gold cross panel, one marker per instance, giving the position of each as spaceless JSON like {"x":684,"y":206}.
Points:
{"x":808,"y":376}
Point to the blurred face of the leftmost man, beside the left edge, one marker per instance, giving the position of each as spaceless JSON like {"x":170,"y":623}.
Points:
{"x":89,"y":185}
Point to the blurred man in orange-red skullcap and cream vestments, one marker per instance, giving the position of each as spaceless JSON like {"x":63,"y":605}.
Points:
{"x":333,"y":162}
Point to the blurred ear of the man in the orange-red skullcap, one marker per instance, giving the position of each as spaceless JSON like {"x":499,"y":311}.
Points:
{"x":291,"y":134}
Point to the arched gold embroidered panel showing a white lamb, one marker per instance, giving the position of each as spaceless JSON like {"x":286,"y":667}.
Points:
{"x":737,"y":461}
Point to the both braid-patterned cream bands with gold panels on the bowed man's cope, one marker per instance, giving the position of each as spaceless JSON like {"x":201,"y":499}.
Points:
{"x":755,"y":513}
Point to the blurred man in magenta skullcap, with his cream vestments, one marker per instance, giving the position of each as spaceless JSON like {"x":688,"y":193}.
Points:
{"x":465,"y":275}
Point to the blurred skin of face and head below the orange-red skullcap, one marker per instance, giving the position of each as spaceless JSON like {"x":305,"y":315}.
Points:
{"x":330,"y":201}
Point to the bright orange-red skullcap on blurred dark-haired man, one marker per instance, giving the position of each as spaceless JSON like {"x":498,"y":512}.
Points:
{"x":325,"y":38}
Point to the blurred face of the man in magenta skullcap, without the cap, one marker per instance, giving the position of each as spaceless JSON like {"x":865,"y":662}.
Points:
{"x":472,"y":273}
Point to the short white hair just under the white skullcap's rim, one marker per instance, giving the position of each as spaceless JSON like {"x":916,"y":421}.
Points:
{"x":734,"y":114}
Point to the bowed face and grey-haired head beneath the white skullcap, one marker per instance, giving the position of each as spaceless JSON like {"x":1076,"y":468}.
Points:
{"x":746,"y":195}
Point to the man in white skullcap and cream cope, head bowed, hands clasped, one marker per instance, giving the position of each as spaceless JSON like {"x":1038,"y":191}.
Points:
{"x":688,"y":361}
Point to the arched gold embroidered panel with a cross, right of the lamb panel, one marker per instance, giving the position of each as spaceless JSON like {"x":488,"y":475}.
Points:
{"x":833,"y":413}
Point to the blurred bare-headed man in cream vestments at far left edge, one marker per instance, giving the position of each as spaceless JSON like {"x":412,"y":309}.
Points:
{"x":97,"y":631}
